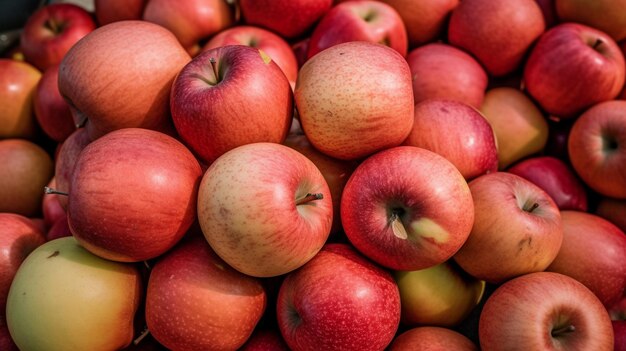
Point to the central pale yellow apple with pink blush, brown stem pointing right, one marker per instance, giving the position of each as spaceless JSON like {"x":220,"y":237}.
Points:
{"x":264,"y":208}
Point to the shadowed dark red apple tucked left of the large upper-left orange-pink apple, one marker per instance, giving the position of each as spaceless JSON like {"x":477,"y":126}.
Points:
{"x":51,"y":110}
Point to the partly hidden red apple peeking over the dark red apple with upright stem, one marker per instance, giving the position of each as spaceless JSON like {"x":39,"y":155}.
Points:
{"x":270,"y":43}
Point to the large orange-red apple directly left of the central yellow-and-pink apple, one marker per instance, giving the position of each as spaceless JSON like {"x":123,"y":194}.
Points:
{"x":133,"y":194}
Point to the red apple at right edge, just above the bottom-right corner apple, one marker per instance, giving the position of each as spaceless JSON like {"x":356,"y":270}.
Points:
{"x":594,"y":253}
